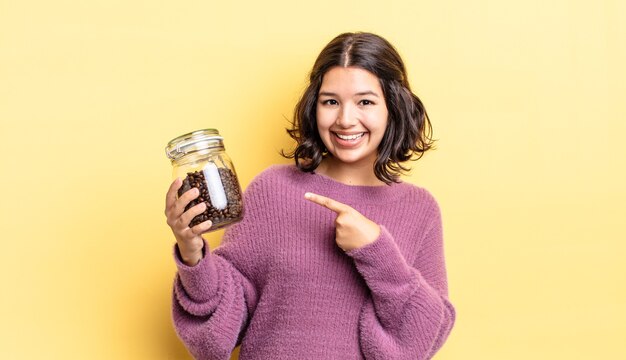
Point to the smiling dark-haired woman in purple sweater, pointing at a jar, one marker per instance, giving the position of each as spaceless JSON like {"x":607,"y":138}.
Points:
{"x":335,"y":258}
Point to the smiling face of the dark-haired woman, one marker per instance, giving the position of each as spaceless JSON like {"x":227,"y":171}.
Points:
{"x":351,"y":114}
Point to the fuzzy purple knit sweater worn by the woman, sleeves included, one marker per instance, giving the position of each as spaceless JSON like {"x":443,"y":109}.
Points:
{"x":281,"y":287}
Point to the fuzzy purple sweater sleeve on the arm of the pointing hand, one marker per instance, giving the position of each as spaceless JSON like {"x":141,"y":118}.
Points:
{"x":409,"y":315}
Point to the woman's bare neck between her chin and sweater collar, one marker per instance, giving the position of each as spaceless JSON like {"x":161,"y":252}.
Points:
{"x":349,"y":174}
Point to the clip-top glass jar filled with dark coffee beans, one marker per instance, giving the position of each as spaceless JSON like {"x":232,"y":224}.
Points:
{"x":199,"y":159}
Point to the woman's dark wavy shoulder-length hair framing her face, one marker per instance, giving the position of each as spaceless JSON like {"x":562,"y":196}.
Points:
{"x":409,"y":132}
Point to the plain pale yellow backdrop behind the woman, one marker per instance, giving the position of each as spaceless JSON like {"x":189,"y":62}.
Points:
{"x":526,"y":99}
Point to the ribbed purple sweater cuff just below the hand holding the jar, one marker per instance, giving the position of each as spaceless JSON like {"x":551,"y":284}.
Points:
{"x":201,"y":280}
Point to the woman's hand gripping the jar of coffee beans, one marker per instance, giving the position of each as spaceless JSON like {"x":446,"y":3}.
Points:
{"x":189,"y":241}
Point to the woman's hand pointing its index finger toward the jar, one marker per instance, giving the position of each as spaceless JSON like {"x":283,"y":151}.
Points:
{"x":353,"y":230}
